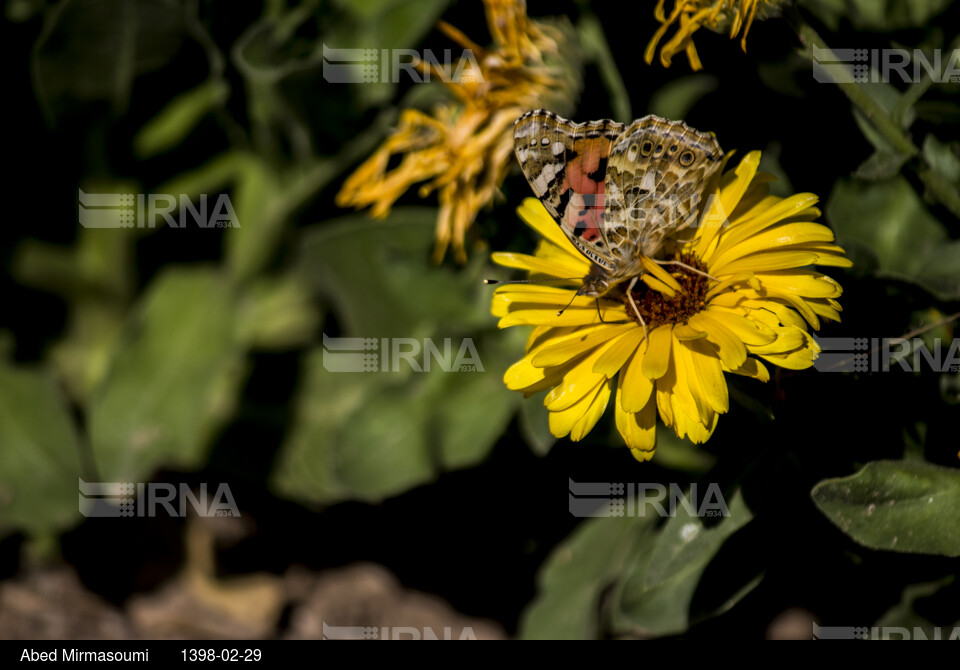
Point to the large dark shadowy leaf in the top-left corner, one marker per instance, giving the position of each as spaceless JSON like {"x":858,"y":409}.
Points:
{"x":93,"y":49}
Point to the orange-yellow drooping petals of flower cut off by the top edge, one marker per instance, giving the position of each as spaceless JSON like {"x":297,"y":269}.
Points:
{"x":717,"y":15}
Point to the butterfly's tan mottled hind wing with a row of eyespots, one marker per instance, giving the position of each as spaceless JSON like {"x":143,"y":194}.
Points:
{"x":656,"y":173}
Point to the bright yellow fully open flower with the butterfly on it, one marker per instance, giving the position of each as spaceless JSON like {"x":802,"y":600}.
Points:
{"x":756,"y":308}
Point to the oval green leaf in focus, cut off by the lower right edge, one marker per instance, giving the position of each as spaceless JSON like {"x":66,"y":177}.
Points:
{"x":896,"y":506}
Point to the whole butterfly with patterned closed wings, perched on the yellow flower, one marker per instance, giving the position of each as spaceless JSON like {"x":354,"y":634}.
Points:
{"x":619,"y":192}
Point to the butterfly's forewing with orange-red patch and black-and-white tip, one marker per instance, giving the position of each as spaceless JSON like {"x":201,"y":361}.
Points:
{"x":565,"y":164}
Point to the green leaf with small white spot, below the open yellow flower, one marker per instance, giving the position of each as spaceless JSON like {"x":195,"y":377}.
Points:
{"x":655,"y":595}
